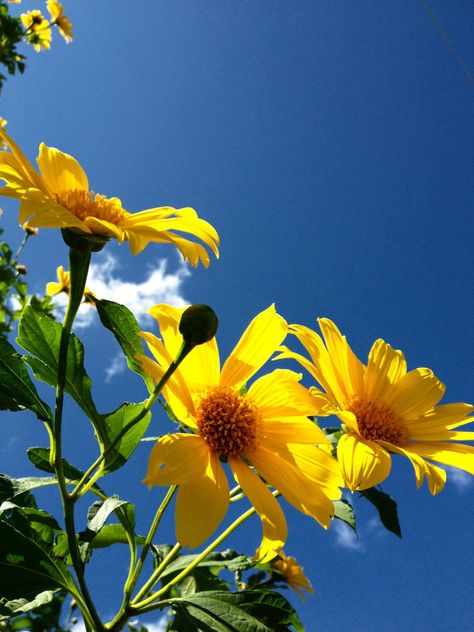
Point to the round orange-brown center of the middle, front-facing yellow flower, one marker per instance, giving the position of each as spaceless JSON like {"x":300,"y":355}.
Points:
{"x":228,"y":421}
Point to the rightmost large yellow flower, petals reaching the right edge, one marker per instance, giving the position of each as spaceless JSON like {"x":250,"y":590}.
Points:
{"x":384,"y":409}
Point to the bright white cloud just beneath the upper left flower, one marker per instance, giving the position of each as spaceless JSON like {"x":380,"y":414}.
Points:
{"x":159,"y":286}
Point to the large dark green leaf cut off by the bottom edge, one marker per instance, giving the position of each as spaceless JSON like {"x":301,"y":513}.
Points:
{"x":246,"y":611}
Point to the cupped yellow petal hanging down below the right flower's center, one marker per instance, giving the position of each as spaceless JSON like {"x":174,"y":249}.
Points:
{"x":364,"y":464}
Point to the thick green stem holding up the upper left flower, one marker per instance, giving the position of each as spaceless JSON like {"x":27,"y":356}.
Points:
{"x":79,"y":261}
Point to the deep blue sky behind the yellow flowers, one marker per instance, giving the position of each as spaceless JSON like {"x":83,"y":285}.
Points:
{"x":331,"y":145}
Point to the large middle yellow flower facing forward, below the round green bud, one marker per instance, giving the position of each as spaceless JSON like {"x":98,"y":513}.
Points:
{"x":265,"y":428}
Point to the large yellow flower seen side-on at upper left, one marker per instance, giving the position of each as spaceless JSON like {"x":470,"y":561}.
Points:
{"x":59,"y":197}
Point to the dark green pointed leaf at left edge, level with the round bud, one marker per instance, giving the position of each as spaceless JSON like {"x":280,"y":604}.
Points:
{"x":17,"y":391}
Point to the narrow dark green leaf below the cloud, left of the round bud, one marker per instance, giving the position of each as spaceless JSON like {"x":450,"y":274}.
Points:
{"x":123,"y":324}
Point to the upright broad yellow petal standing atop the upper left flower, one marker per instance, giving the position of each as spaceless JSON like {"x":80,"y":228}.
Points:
{"x":60,"y":171}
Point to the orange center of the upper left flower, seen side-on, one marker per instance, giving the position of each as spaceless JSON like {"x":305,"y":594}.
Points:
{"x":84,"y":204}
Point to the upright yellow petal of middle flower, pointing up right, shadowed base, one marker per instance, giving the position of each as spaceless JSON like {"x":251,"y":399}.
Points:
{"x":259,"y":341}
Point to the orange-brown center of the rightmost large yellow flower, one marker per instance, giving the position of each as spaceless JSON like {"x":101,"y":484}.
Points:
{"x":378,"y":422}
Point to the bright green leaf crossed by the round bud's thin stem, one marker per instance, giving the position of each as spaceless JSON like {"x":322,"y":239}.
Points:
{"x":113,"y":423}
